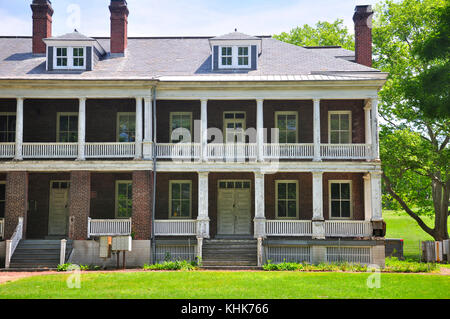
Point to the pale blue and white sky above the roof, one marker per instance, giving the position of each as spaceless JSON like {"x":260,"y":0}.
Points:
{"x":180,"y":17}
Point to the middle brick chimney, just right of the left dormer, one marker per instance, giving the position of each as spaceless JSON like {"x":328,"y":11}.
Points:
{"x":119,"y":26}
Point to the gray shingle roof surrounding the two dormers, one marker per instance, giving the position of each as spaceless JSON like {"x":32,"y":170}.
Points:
{"x":152,"y":58}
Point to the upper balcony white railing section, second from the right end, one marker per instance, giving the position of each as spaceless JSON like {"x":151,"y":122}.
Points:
{"x":287,"y":151}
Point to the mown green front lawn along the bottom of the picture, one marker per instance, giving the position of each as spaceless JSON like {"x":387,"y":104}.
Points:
{"x":225,"y":285}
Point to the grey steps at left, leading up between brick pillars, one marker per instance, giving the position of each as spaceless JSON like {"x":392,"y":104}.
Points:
{"x":38,"y":254}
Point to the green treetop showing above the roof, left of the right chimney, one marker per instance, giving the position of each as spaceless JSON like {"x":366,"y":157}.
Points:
{"x":324,"y":34}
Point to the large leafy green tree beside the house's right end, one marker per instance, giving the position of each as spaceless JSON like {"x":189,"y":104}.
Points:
{"x":414,"y":140}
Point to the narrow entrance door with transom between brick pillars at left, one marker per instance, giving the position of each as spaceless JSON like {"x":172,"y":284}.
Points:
{"x":59,"y":208}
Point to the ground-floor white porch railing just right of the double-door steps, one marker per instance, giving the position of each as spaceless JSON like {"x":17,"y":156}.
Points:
{"x":289,"y":228}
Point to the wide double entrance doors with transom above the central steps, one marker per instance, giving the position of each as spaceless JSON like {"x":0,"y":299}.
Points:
{"x":234,"y":207}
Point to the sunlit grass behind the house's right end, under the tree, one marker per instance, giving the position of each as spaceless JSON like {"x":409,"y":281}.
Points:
{"x":401,"y":225}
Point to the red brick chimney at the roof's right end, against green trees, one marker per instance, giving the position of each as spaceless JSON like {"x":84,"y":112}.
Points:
{"x":363,"y":34}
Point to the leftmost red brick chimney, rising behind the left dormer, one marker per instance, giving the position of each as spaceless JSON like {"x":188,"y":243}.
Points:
{"x":42,"y":24}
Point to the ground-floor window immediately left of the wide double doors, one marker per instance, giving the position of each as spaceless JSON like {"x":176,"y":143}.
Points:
{"x":180,"y":199}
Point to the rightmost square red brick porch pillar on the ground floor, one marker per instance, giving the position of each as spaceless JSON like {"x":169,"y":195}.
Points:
{"x":142,"y":204}
